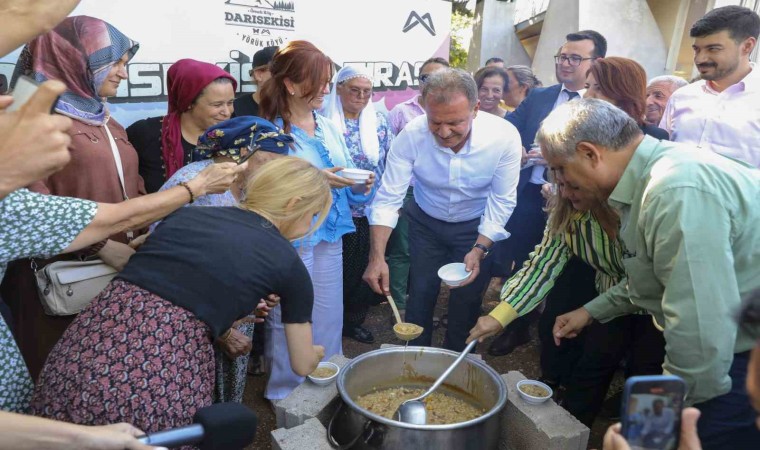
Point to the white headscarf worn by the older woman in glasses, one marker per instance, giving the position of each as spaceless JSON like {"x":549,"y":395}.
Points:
{"x":367,"y":117}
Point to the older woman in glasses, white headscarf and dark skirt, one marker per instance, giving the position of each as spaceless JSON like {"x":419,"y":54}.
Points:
{"x":368,"y":138}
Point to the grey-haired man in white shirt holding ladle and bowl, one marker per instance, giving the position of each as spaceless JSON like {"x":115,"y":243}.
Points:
{"x":466,"y":167}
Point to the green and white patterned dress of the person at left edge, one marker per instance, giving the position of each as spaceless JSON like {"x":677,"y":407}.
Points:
{"x":32,"y":224}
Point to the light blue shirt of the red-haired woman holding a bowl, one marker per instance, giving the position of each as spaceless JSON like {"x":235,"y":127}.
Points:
{"x":328,"y":149}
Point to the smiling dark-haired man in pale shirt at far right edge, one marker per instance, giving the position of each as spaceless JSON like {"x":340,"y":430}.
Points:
{"x":721,"y":112}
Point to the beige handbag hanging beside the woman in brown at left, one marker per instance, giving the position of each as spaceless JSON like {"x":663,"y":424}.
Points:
{"x":66,"y":287}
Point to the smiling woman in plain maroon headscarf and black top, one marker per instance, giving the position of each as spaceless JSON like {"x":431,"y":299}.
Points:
{"x":200,"y":95}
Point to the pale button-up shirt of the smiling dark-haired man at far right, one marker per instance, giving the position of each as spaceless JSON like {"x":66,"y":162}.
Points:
{"x":725,"y":122}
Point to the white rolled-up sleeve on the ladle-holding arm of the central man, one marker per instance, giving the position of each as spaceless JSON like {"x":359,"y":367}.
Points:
{"x":396,"y":178}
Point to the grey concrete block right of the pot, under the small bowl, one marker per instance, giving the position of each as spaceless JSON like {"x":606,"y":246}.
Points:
{"x":545,"y":426}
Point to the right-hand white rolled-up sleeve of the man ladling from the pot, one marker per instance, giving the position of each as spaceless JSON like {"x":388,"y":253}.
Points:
{"x":503,"y":197}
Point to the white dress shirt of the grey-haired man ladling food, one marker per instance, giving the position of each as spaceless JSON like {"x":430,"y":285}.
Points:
{"x":478,"y":181}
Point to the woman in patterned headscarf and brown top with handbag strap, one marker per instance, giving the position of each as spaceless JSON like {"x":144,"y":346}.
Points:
{"x":90,"y":57}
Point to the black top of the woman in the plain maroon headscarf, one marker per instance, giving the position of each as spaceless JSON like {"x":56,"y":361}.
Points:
{"x":145,"y":135}
